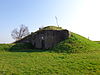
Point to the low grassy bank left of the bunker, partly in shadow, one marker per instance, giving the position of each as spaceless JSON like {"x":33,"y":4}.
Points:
{"x":15,"y":47}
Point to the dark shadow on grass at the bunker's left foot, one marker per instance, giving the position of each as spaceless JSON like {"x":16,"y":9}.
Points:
{"x":20,"y":47}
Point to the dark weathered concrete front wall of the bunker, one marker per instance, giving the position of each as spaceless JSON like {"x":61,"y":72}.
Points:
{"x":45,"y":39}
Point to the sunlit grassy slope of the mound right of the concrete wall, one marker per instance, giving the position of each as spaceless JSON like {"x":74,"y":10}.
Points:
{"x":76,"y":43}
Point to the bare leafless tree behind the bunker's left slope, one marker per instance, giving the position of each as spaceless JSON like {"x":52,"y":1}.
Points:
{"x":18,"y":34}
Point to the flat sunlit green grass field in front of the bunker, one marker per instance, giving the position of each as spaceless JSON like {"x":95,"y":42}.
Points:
{"x":46,"y":63}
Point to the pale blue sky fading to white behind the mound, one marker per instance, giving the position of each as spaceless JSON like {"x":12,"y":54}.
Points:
{"x":79,"y":16}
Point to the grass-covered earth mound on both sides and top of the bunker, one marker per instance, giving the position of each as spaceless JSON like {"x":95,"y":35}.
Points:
{"x":73,"y":44}
